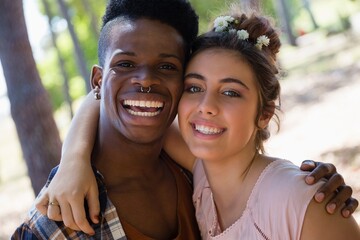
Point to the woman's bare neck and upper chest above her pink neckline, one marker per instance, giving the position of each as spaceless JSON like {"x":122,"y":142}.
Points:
{"x":231,"y":181}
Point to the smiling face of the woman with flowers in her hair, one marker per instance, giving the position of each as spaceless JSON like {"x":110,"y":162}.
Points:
{"x":218,"y":107}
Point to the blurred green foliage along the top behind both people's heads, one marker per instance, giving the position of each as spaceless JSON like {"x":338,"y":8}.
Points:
{"x":331,"y":15}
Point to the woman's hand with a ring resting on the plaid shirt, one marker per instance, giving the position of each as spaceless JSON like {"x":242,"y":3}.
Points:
{"x":63,"y":199}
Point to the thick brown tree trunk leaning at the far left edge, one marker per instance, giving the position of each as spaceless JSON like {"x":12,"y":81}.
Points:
{"x":30,"y":104}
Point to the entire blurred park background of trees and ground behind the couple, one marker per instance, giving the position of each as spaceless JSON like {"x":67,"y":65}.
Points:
{"x":320,"y":59}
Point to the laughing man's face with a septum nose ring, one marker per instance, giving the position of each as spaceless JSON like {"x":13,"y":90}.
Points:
{"x":142,"y":53}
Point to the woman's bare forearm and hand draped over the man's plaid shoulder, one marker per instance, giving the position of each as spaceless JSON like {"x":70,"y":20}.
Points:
{"x":76,"y":168}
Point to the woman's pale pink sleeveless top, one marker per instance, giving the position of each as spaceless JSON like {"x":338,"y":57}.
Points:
{"x":275,"y":208}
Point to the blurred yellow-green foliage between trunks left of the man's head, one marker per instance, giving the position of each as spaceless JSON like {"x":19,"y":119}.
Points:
{"x":87,"y":39}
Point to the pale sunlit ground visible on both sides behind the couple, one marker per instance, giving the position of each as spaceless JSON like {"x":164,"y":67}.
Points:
{"x":321,"y":103}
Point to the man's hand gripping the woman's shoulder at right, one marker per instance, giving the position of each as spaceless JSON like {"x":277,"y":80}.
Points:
{"x":335,"y":184}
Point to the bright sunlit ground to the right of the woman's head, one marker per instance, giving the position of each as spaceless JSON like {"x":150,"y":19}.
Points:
{"x":321,"y":117}
